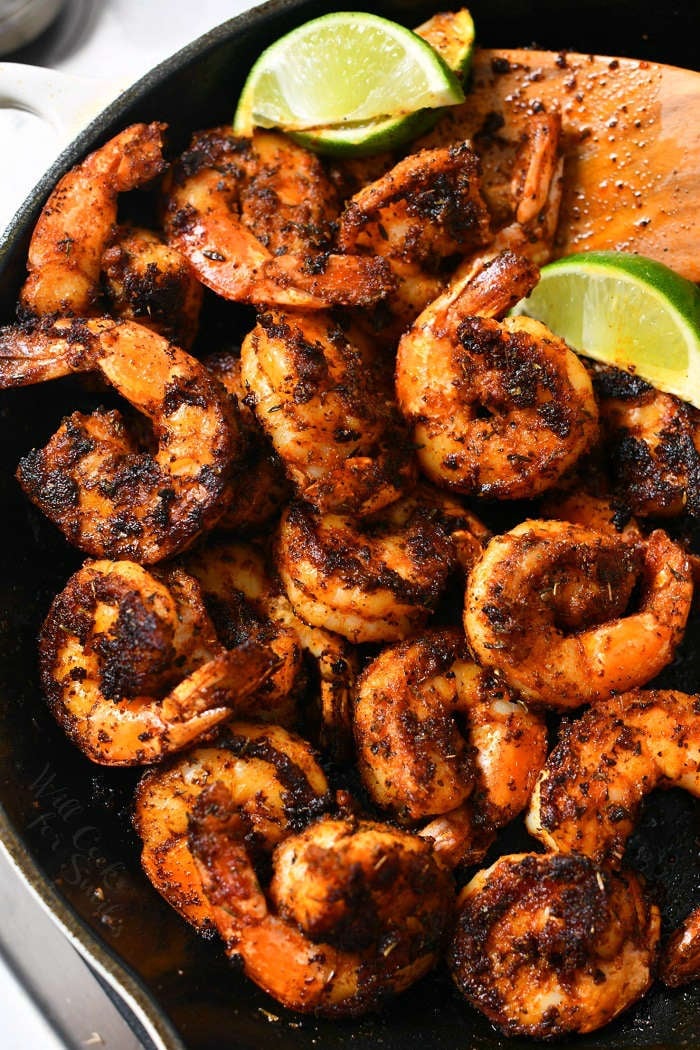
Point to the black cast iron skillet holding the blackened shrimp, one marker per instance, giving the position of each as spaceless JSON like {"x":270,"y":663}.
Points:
{"x":66,"y":823}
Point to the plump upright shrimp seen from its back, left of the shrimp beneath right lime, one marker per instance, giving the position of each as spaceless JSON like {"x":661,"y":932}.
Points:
{"x":327,"y":412}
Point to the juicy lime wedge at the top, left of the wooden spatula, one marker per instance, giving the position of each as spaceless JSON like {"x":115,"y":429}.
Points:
{"x":344,"y":73}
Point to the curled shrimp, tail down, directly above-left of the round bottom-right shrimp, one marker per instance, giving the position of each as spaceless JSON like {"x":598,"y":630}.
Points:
{"x":418,"y":764}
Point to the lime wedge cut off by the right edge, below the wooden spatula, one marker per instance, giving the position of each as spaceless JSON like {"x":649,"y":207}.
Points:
{"x":628,"y":311}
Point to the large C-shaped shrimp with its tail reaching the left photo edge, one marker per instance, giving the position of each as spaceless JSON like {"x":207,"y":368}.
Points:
{"x":92,"y":480}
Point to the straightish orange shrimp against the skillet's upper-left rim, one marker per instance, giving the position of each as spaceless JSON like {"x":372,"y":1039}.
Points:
{"x":67,"y":246}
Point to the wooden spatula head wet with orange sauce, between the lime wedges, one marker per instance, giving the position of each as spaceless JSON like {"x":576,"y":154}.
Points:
{"x":631,"y":141}
